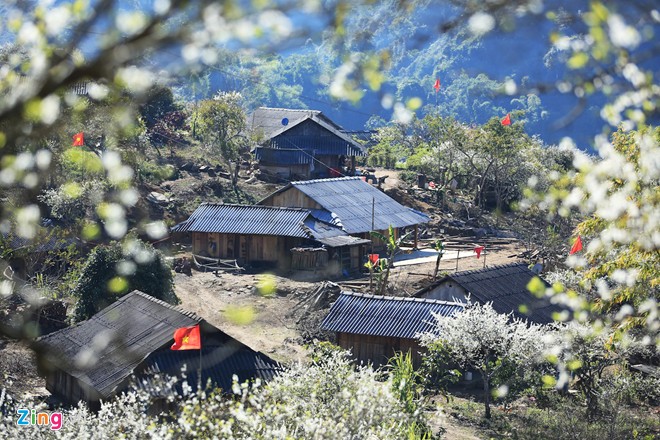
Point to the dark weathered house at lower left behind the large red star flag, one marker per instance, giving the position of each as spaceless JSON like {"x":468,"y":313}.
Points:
{"x":95,"y":359}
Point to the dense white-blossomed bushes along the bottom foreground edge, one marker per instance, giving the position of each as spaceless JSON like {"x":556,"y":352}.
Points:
{"x":329,"y":399}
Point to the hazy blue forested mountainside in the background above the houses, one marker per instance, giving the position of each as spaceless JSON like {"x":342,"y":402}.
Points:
{"x":514,"y":67}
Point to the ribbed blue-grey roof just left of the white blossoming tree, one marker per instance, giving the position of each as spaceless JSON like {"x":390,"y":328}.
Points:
{"x":388,"y":316}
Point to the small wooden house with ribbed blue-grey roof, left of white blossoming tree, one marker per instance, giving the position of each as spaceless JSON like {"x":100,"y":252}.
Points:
{"x":376,"y":327}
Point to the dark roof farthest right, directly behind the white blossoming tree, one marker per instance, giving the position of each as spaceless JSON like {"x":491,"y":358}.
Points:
{"x":505,"y":286}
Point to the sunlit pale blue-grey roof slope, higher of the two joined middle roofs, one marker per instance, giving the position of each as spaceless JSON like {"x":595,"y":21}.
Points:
{"x":350,"y":199}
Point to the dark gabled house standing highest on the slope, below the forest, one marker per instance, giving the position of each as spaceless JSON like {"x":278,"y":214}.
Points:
{"x":302,"y":144}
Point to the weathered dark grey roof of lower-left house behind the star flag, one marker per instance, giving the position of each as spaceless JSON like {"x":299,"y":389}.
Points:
{"x":123,"y":336}
